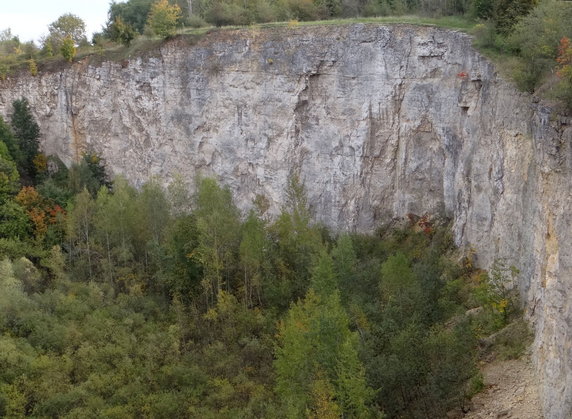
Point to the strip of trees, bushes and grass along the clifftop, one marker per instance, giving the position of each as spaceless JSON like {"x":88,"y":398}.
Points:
{"x":531,"y":36}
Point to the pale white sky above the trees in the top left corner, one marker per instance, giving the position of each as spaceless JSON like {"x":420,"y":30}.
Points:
{"x":29,"y":19}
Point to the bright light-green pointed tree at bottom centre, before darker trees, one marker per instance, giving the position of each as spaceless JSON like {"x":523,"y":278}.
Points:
{"x":317,"y":349}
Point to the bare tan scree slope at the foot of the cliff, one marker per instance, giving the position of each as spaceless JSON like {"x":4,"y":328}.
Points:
{"x":511,"y":391}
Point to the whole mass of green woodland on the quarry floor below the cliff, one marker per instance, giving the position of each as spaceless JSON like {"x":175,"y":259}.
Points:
{"x":124,"y":302}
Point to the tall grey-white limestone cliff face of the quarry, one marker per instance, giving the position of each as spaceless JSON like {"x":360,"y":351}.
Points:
{"x":378,"y":121}
